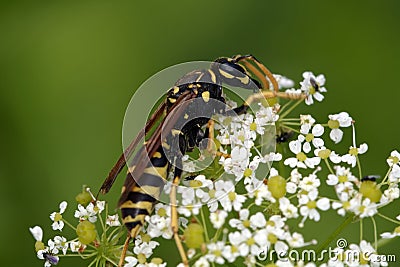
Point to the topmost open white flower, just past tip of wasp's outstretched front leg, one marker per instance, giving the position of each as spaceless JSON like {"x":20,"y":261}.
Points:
{"x":313,"y":87}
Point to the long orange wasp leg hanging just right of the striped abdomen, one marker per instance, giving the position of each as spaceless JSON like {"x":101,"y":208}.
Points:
{"x":174,"y":216}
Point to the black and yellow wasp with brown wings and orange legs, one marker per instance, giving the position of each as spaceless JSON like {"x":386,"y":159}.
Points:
{"x":151,"y":165}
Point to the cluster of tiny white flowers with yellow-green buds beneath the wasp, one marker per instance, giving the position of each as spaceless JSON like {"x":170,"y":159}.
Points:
{"x":243,"y":206}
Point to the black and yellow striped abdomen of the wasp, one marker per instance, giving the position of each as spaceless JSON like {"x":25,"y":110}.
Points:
{"x":140,"y":200}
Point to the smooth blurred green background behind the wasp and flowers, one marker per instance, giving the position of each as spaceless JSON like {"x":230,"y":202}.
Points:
{"x":69,"y":68}
